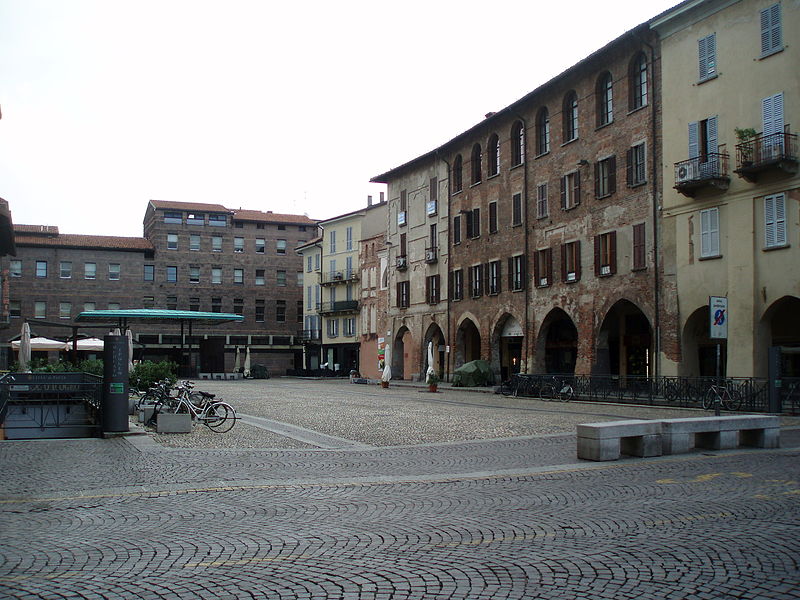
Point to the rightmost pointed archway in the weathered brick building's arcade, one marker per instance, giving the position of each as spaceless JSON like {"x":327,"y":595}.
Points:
{"x":624,"y":342}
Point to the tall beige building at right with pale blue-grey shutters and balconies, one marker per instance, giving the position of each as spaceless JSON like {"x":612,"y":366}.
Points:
{"x":731,"y":196}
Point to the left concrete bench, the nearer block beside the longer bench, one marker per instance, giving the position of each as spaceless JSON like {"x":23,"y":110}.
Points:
{"x":607,"y":441}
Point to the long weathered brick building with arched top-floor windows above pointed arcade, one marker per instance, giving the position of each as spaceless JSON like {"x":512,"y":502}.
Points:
{"x":550,"y":220}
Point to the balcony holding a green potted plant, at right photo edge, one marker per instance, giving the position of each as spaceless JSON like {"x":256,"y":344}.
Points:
{"x":774,"y":153}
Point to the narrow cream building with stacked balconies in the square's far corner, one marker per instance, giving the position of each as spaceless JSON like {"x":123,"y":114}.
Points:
{"x":332,"y":318}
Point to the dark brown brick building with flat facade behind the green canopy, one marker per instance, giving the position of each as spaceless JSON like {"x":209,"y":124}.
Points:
{"x":202,"y":257}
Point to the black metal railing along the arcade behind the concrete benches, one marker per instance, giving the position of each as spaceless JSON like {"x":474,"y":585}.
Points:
{"x":678,"y":392}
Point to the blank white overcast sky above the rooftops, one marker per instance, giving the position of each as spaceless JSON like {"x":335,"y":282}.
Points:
{"x":290,"y":107}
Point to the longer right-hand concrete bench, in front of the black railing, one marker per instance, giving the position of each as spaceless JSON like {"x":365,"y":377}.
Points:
{"x":720,"y":433}
